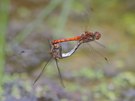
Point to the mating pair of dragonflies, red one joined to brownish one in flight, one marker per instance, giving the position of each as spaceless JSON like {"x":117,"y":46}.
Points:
{"x":56,"y":49}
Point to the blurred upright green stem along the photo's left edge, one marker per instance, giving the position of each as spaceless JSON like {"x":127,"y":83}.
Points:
{"x":4,"y":11}
